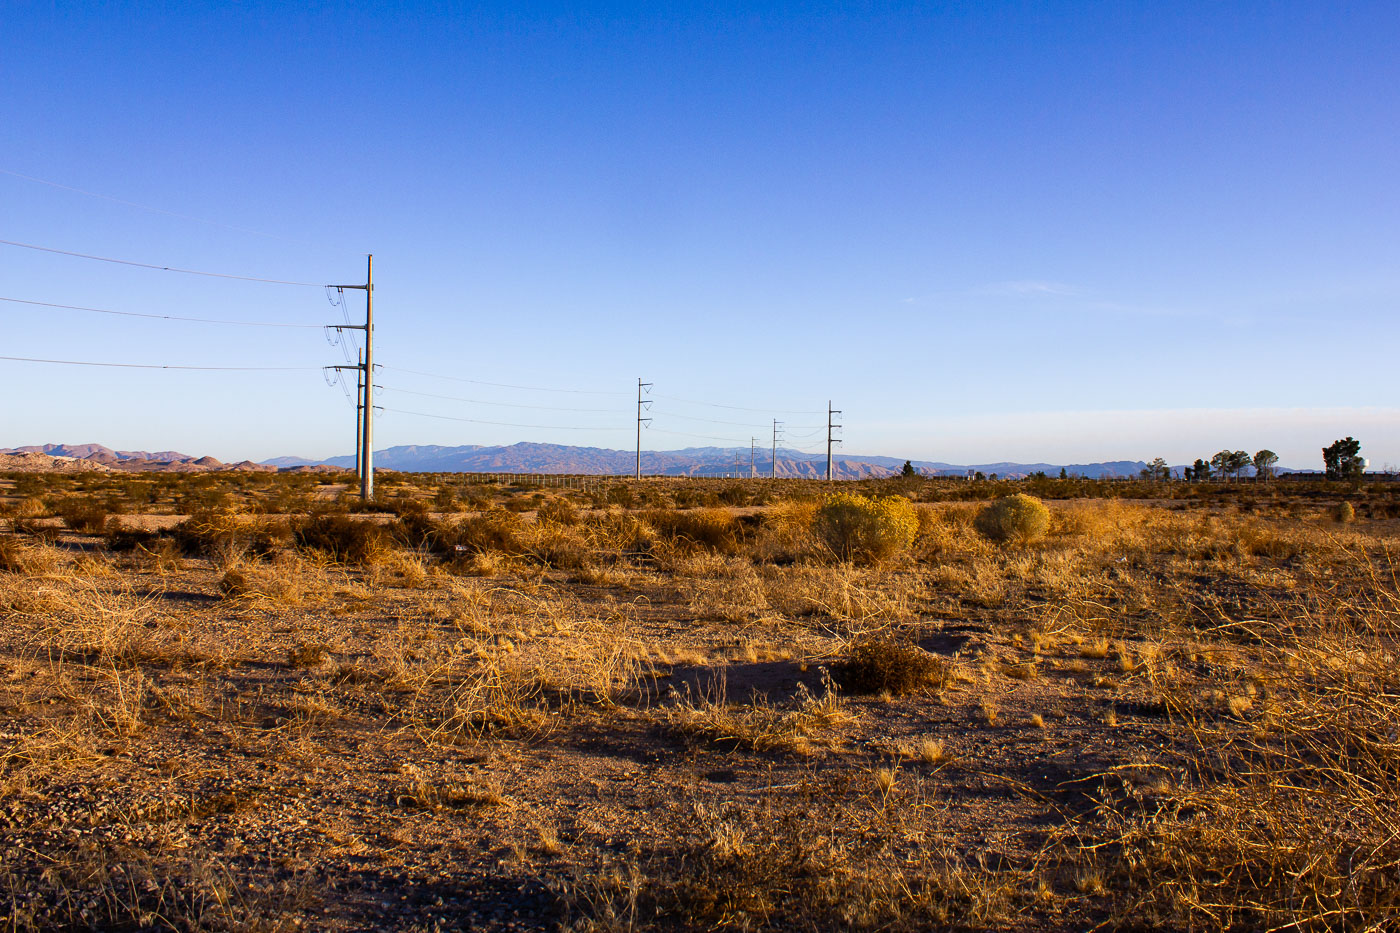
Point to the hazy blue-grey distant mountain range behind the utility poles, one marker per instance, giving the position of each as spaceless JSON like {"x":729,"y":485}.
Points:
{"x":691,"y":462}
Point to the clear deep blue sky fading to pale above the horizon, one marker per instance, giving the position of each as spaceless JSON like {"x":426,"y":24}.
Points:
{"x":1060,"y":232}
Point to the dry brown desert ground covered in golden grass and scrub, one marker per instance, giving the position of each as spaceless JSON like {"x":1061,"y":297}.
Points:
{"x":250,"y":703}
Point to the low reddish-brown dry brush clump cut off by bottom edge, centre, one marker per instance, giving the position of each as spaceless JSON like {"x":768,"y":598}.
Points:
{"x":792,"y":869}
